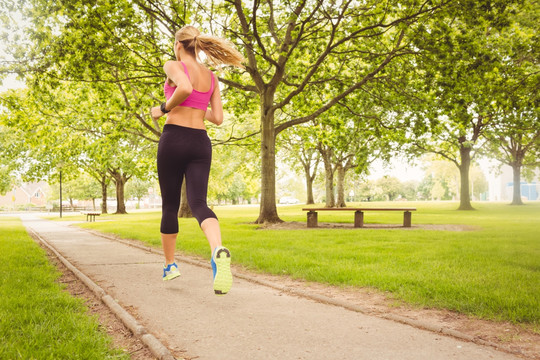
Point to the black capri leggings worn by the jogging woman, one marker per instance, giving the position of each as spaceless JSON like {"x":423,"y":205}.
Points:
{"x":183,"y":151}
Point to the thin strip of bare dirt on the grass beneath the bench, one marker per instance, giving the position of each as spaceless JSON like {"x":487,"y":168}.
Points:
{"x":296,"y":225}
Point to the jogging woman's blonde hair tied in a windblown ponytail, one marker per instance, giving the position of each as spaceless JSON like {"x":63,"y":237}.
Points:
{"x":218,"y":51}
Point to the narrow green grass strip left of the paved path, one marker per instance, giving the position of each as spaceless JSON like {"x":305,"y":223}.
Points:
{"x":38,"y":320}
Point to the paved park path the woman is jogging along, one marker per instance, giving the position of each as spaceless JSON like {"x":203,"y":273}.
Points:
{"x":252,"y":322}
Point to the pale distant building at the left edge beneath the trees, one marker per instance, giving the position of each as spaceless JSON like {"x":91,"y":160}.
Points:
{"x":26,"y":195}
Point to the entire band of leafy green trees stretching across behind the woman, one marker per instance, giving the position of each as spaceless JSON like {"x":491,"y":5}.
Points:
{"x":350,"y":82}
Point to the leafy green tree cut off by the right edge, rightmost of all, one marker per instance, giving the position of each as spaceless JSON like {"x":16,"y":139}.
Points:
{"x":514,"y":139}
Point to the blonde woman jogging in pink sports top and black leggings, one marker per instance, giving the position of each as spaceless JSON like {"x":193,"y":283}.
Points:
{"x":184,"y":147}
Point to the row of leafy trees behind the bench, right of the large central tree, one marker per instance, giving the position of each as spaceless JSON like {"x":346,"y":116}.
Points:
{"x":458,"y":97}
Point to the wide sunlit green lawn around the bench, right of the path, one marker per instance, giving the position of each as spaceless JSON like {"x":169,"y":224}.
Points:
{"x":492,"y":272}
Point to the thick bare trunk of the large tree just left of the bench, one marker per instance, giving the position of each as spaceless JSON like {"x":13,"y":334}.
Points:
{"x":268,"y":210}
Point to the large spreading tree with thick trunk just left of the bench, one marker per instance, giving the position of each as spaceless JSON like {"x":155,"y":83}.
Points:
{"x":304,"y":57}
